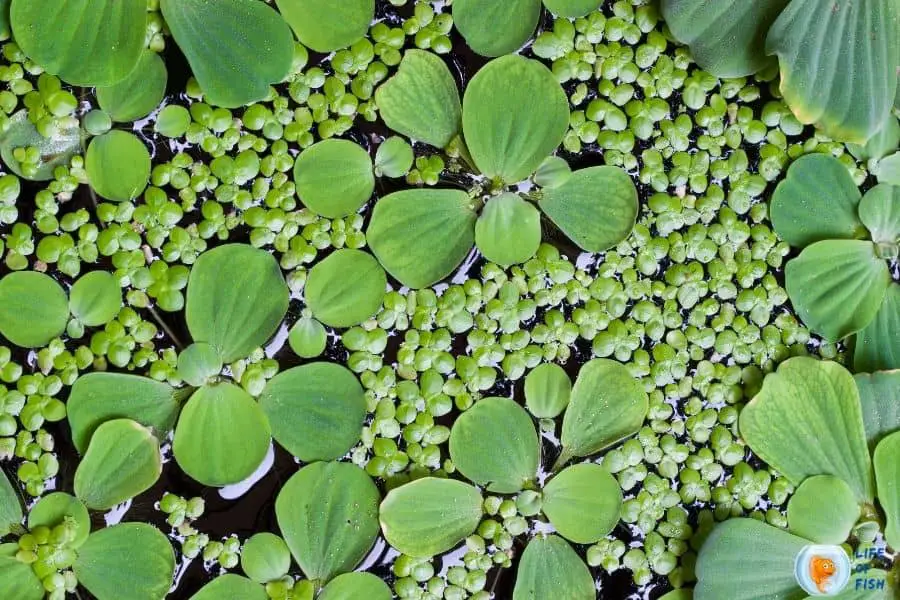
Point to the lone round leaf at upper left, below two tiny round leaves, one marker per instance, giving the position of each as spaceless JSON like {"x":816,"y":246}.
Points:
{"x":118,"y":165}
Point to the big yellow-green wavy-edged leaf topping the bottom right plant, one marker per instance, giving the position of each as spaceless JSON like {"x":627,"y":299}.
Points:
{"x":806,"y":420}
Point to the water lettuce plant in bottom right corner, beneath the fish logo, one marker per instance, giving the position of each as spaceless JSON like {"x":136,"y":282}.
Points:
{"x":837,"y":441}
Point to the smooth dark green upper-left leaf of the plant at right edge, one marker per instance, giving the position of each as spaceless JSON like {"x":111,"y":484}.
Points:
{"x":817,"y":201}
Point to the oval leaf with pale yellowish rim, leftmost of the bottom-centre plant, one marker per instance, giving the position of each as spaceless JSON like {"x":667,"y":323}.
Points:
{"x":429,"y":516}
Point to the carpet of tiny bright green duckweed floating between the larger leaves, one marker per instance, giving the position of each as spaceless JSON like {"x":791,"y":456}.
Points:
{"x":692,"y":302}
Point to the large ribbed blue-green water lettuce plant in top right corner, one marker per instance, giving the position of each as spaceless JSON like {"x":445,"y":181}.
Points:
{"x":850,"y":100}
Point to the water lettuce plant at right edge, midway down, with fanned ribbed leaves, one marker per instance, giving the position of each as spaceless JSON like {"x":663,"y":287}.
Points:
{"x":841,"y":283}
